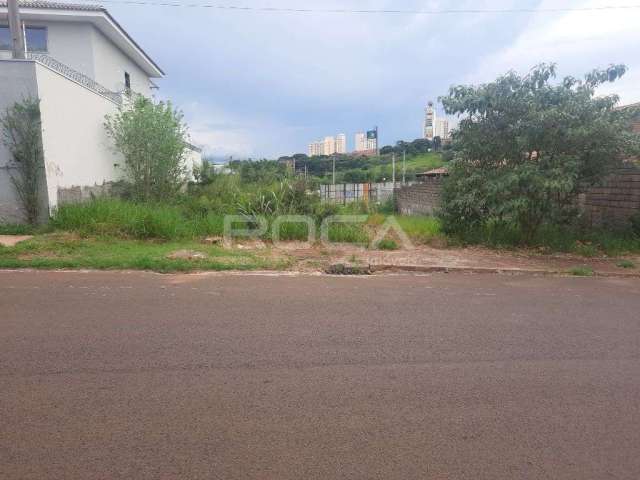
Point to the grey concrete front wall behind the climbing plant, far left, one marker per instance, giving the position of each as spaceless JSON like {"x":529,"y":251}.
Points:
{"x":17,"y":82}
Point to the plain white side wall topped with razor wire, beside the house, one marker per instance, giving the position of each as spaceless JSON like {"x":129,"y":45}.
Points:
{"x":77,"y":150}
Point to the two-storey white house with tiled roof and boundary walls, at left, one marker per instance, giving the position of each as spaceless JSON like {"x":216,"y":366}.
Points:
{"x":81,"y":64}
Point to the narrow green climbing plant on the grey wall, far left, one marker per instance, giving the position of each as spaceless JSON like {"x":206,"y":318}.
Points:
{"x":22,"y":135}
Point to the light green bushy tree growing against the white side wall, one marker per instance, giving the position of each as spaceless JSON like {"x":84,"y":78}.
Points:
{"x":152,"y":138}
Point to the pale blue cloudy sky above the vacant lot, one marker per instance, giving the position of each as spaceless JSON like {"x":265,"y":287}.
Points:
{"x":264,"y":84}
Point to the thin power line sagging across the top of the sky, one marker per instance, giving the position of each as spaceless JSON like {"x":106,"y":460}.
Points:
{"x":240,"y":8}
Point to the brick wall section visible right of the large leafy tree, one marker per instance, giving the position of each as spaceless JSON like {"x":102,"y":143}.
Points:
{"x":614,"y":201}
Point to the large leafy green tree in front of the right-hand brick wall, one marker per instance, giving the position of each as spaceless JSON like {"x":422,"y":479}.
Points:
{"x":526,"y":145}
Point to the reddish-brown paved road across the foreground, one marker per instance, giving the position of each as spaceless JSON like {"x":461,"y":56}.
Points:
{"x":136,"y":376}
